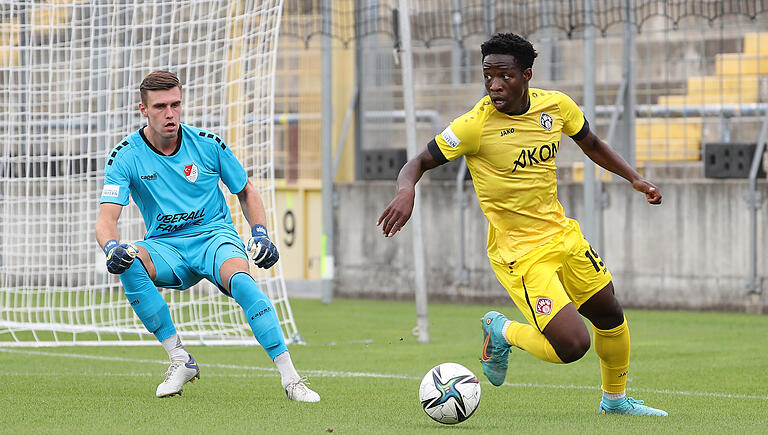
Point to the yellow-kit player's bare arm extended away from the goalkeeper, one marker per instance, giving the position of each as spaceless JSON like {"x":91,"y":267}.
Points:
{"x":600,"y":153}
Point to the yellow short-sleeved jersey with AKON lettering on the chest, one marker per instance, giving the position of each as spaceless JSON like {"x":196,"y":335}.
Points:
{"x":512,"y":163}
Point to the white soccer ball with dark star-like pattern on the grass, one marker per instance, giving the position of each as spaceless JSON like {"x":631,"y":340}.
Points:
{"x":449,"y":393}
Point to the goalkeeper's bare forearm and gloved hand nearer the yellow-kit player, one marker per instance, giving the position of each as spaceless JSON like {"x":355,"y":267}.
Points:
{"x":261,"y":249}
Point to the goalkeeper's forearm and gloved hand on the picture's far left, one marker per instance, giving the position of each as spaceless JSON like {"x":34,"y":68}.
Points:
{"x":119,"y":255}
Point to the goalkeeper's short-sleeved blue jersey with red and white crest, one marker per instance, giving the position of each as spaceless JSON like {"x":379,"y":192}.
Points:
{"x":178,"y":195}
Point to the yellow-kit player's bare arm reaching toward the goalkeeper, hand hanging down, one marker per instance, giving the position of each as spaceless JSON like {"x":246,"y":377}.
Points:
{"x":399,"y":210}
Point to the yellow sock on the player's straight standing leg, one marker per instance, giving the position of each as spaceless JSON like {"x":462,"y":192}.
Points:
{"x":612,"y":346}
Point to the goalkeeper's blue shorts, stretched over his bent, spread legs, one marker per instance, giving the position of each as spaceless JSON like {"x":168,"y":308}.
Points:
{"x":181,"y":262}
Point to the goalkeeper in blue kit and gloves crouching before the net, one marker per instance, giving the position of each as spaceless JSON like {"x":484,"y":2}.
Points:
{"x":172,"y":171}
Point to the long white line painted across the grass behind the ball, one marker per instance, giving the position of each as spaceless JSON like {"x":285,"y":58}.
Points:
{"x":343,"y":374}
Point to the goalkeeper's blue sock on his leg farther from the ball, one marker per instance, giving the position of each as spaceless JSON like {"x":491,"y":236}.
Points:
{"x":146,"y":301}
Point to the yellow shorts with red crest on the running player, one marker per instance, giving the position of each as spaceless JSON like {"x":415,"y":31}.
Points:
{"x":544,"y":280}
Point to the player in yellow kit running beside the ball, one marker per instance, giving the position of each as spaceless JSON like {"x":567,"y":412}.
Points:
{"x":510,"y":140}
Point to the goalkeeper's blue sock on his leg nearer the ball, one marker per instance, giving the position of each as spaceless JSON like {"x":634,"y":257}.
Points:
{"x":259,"y":312}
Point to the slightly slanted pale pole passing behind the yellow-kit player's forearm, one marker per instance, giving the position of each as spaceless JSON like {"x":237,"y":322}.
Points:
{"x":406,"y":67}
